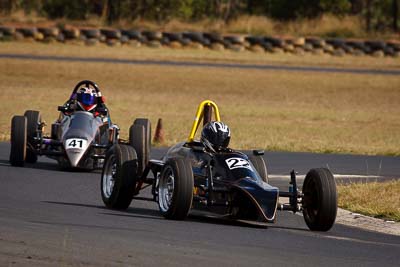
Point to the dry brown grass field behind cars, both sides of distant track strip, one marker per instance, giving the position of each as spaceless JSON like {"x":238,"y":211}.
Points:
{"x":274,"y":110}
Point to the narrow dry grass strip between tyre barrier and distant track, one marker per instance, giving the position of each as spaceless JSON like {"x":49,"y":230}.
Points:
{"x":201,"y":55}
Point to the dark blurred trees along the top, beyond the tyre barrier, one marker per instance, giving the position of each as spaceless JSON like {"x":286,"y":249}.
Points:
{"x":379,"y":14}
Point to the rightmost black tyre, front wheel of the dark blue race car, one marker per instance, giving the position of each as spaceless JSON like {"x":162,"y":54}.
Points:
{"x":319,"y":200}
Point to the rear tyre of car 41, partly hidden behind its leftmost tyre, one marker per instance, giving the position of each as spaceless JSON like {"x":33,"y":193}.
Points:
{"x":34,"y":119}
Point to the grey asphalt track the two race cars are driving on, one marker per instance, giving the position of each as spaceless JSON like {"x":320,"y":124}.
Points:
{"x":53,"y":218}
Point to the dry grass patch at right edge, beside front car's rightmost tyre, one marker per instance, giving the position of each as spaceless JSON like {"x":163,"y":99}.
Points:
{"x":379,"y":200}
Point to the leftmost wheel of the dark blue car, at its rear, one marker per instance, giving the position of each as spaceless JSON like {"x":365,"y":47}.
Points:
{"x":118,"y":178}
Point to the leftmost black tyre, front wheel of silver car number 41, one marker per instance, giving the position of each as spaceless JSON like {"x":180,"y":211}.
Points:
{"x":18,"y":141}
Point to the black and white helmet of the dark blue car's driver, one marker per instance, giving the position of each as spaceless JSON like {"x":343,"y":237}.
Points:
{"x":216,"y":135}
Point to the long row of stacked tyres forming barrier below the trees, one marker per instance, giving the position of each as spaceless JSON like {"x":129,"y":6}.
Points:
{"x":198,"y":40}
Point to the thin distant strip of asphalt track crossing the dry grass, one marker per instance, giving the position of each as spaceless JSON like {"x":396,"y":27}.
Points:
{"x":201,"y":64}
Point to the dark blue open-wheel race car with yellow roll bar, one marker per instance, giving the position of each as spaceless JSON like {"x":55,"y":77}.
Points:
{"x":208,"y":176}
